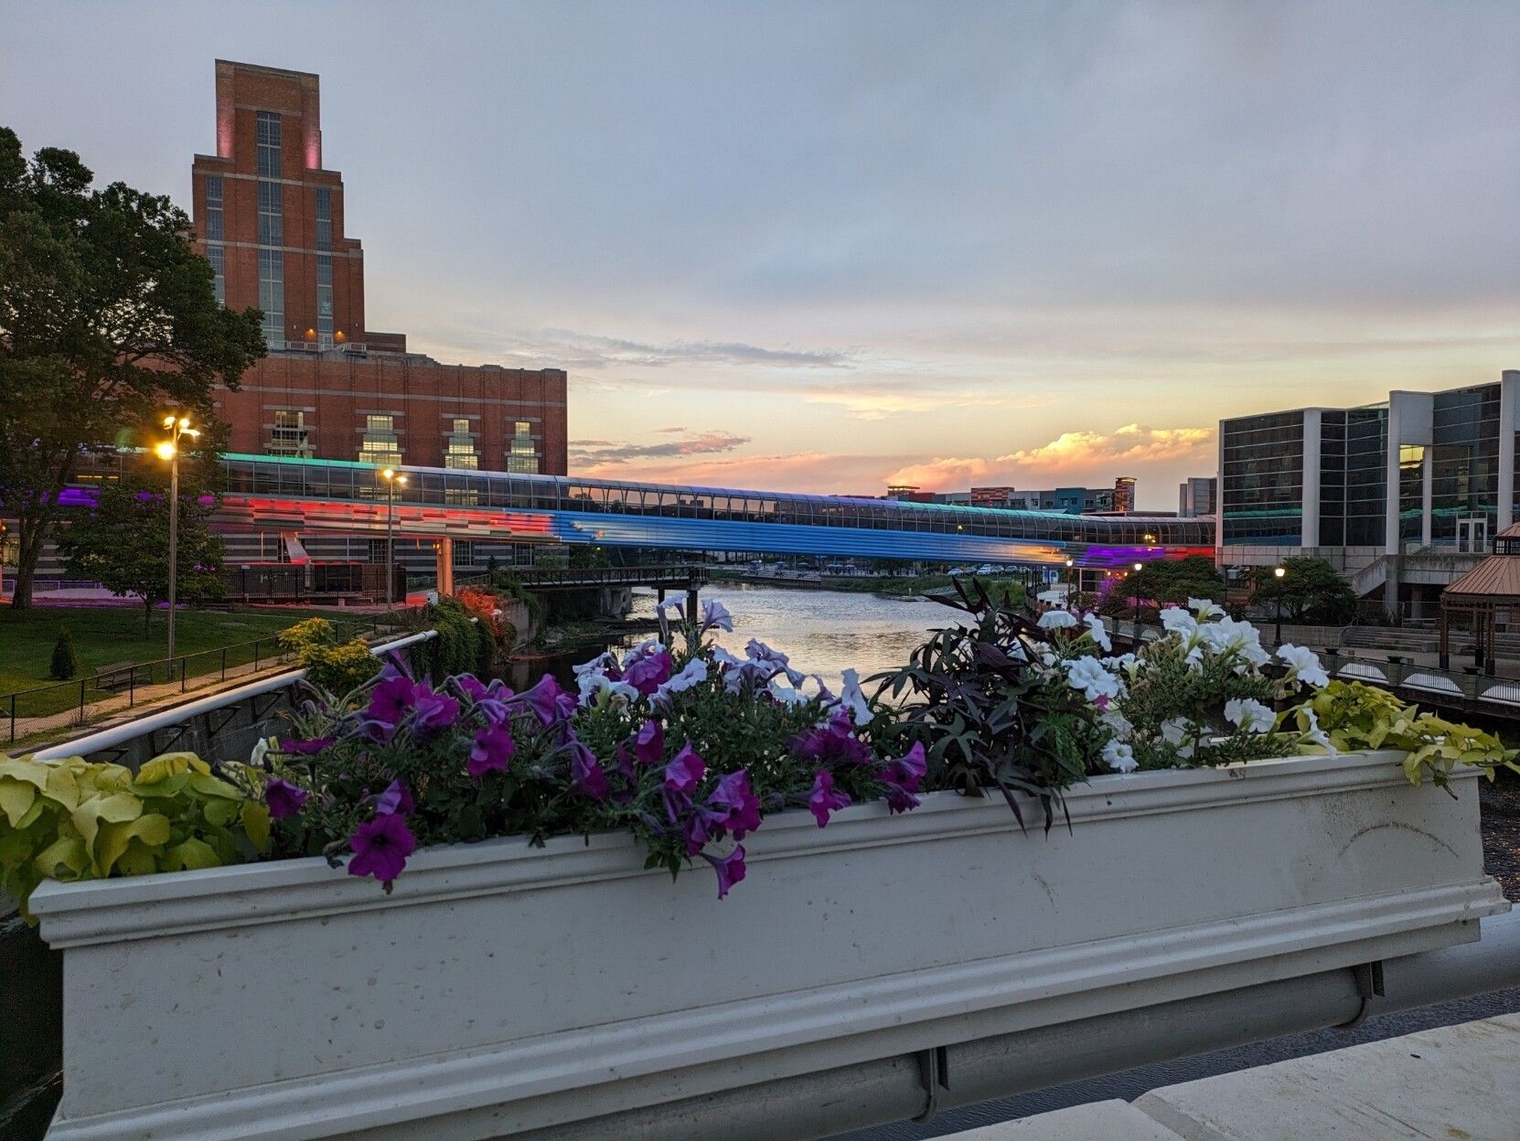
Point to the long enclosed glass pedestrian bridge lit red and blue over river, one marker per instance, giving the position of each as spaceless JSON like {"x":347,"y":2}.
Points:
{"x":311,"y":495}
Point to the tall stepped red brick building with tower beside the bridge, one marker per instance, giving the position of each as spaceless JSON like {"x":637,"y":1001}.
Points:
{"x":270,"y":220}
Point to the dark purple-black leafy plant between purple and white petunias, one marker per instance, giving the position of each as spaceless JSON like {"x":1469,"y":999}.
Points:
{"x":983,"y":706}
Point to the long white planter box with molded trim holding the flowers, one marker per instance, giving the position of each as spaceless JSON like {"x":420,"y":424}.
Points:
{"x":505,"y":988}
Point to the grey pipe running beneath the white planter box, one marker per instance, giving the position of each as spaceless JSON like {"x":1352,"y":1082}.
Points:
{"x":966,"y":1073}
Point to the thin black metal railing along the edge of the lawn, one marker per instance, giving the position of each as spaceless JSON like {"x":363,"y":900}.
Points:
{"x":110,"y":683}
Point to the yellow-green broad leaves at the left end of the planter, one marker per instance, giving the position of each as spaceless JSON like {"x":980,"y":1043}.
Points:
{"x":71,"y":820}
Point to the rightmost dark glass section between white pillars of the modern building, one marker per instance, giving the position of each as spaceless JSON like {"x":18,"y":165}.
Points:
{"x":1465,"y":467}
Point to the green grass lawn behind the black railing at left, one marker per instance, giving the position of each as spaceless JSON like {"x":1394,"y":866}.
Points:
{"x":107,"y":636}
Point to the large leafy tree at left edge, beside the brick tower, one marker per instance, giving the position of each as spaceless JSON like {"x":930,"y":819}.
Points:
{"x":107,"y":317}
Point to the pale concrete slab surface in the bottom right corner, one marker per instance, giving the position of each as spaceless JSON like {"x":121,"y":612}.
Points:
{"x":1455,"y":1083}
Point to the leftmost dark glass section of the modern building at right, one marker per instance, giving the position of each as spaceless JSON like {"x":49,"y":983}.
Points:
{"x":1262,"y":485}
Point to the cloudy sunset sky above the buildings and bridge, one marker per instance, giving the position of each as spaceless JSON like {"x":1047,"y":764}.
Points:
{"x":831,"y":247}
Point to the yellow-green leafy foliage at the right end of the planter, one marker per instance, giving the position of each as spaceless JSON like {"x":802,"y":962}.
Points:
{"x":1357,"y":716}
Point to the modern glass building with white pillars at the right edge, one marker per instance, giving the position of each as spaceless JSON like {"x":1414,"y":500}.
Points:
{"x":1401,"y":496}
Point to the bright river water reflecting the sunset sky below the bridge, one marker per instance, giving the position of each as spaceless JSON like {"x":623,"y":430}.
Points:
{"x":825,"y":633}
